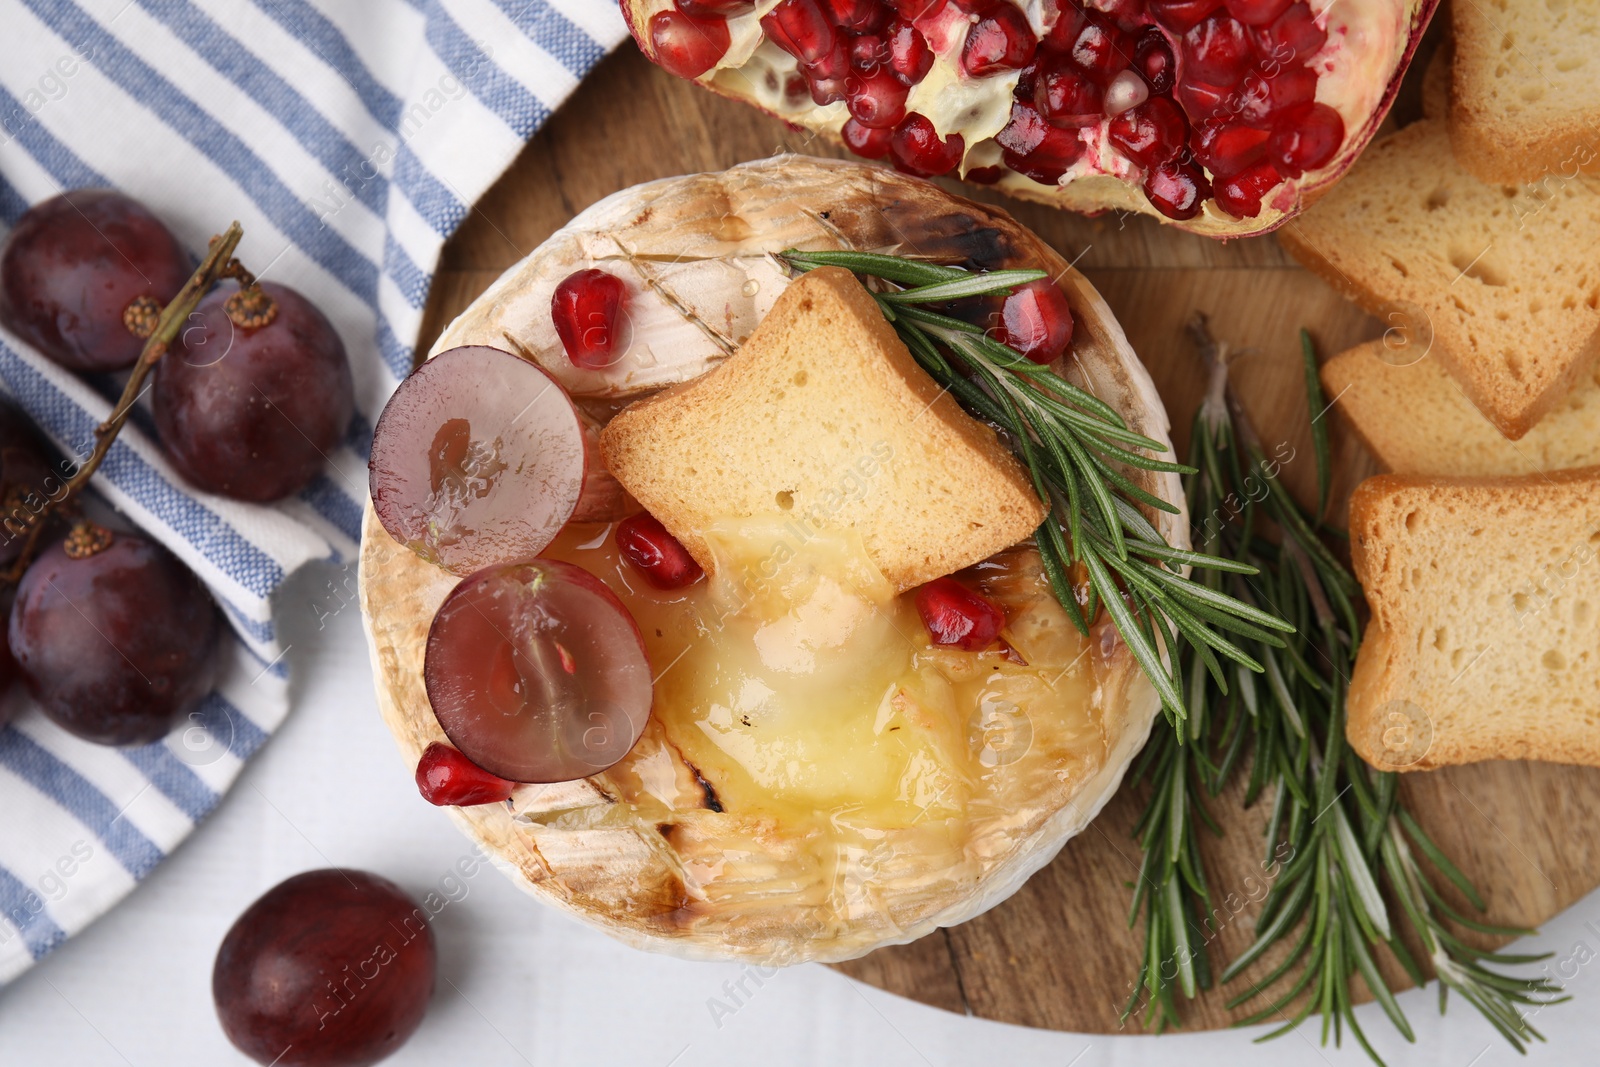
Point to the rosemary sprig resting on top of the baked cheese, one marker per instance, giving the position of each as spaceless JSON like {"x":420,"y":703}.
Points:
{"x":1081,"y":455}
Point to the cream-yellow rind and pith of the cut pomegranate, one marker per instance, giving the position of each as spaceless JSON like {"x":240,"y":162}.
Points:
{"x":1359,"y":79}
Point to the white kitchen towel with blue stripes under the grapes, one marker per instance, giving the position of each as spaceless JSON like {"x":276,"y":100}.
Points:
{"x":350,"y":138}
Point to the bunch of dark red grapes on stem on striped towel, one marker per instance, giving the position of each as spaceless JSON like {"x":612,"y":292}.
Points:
{"x":113,"y":636}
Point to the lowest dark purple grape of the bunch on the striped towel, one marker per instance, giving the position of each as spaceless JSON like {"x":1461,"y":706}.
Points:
{"x":116,"y":645}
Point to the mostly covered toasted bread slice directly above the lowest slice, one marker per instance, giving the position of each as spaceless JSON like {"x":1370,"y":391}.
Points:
{"x":1415,"y":420}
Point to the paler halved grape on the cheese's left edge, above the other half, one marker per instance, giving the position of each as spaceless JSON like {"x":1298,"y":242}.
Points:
{"x":479,"y":458}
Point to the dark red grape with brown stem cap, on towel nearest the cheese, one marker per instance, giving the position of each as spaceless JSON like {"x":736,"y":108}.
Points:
{"x":254,"y":414}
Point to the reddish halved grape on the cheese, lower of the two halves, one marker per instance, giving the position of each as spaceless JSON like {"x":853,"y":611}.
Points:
{"x":537,"y":673}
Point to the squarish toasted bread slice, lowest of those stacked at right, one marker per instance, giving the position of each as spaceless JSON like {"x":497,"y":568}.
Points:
{"x":1484,"y":642}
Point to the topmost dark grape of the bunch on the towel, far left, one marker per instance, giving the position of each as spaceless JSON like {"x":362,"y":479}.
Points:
{"x":74,"y":265}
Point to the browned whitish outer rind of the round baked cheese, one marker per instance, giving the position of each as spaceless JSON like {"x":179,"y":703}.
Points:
{"x":574,"y":845}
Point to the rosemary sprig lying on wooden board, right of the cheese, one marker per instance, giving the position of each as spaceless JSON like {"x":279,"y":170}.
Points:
{"x":1338,"y":833}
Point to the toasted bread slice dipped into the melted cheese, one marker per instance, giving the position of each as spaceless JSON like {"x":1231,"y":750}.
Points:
{"x":825,"y":417}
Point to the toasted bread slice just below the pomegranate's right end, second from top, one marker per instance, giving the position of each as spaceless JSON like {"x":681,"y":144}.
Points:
{"x":1506,"y":278}
